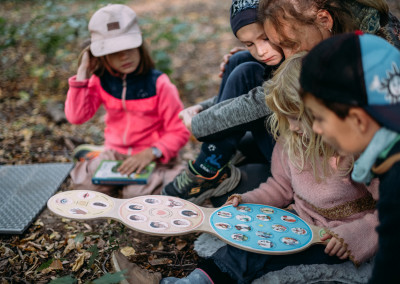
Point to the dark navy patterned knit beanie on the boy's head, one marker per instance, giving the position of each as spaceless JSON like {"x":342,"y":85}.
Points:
{"x":243,"y":13}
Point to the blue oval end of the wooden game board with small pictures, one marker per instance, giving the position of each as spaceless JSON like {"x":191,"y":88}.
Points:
{"x":261,"y":227}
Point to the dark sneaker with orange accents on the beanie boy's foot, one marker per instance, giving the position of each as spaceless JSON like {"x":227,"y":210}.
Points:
{"x":196,"y":188}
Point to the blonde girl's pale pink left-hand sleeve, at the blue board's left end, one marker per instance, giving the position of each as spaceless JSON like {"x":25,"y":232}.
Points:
{"x":277,"y":191}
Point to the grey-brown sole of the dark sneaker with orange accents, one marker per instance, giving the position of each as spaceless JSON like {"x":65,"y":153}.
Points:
{"x":226,"y":186}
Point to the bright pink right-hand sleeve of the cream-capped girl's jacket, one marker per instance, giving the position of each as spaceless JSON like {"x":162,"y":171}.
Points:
{"x":174,"y":134}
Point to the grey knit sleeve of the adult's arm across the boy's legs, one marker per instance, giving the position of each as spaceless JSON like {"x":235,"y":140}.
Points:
{"x":223,"y":118}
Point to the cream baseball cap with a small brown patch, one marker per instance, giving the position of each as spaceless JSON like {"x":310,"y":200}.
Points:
{"x":114,"y":28}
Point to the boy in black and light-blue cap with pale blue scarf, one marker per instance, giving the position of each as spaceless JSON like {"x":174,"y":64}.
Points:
{"x":351,"y":84}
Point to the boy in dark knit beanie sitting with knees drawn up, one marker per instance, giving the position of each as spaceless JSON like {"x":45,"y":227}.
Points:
{"x":211,"y":174}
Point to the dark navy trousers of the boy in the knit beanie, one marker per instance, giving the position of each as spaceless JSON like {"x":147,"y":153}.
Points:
{"x":242,"y":74}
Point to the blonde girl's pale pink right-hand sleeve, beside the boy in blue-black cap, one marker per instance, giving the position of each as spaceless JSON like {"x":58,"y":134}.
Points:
{"x":360,"y":235}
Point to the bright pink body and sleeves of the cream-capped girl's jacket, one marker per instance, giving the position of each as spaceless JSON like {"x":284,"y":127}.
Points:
{"x":131,"y":125}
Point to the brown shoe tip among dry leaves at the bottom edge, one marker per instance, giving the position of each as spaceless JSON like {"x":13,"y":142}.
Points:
{"x":133,"y":273}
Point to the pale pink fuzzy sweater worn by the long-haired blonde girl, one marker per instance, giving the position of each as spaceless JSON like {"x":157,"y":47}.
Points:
{"x":345,"y":208}
